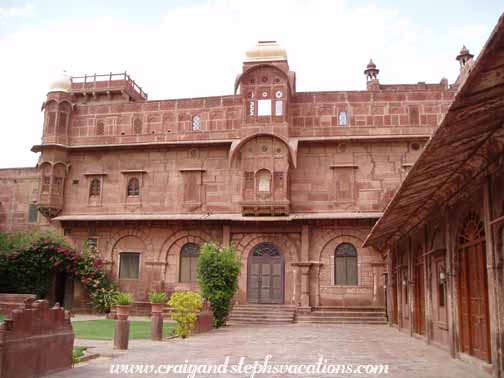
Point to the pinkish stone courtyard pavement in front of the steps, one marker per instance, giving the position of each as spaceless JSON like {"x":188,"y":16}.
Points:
{"x":292,"y":344}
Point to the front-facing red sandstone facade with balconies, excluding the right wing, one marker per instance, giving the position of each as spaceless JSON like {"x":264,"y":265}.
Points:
{"x":294,"y":180}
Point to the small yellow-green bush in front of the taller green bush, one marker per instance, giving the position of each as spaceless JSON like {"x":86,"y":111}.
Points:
{"x":185,"y":307}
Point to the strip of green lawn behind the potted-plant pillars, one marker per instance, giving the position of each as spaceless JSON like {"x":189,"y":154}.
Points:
{"x":104,"y":329}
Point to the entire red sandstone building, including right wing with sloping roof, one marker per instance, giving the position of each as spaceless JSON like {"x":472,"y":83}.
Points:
{"x":294,"y":180}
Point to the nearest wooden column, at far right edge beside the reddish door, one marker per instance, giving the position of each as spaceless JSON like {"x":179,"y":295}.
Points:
{"x":494,"y":289}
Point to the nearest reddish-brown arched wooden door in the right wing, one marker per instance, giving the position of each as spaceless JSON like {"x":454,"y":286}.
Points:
{"x":474,"y":324}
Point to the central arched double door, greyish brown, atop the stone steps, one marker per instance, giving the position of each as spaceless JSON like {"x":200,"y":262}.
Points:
{"x":265,"y":275}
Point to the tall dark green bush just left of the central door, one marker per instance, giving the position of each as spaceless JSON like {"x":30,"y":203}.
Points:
{"x":218,"y":271}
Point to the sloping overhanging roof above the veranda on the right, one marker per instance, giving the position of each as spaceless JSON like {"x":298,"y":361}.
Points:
{"x":464,"y":148}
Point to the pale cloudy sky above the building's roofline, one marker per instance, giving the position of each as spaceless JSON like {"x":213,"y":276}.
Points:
{"x":195,"y":48}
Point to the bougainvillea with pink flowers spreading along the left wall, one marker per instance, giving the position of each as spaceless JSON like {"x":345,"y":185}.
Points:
{"x":28,"y":268}
